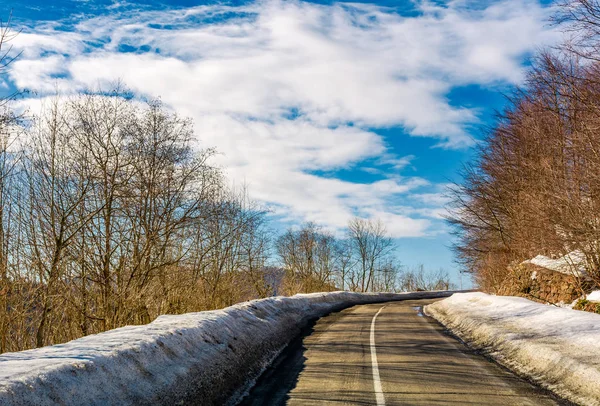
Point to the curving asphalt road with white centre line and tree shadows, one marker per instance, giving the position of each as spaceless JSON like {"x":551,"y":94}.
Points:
{"x":401,"y":358}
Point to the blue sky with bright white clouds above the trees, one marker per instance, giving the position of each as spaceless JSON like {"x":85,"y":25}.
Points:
{"x":326,"y":110}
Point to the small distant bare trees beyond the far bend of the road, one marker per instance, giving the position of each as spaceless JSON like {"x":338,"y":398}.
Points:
{"x":362,"y":260}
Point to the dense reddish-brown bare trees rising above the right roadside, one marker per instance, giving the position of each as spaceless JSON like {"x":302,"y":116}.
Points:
{"x":535,"y":186}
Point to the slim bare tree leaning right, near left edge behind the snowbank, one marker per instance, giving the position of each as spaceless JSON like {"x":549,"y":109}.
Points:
{"x":55,"y":167}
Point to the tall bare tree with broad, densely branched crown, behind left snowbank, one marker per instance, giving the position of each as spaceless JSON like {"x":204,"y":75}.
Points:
{"x":169,"y":184}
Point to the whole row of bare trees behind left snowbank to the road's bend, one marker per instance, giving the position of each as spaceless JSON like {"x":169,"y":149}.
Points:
{"x":112,"y":214}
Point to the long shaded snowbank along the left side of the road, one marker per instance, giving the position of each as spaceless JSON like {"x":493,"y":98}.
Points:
{"x":203,"y":358}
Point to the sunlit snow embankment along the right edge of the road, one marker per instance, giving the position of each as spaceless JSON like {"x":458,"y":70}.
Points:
{"x":558,"y":348}
